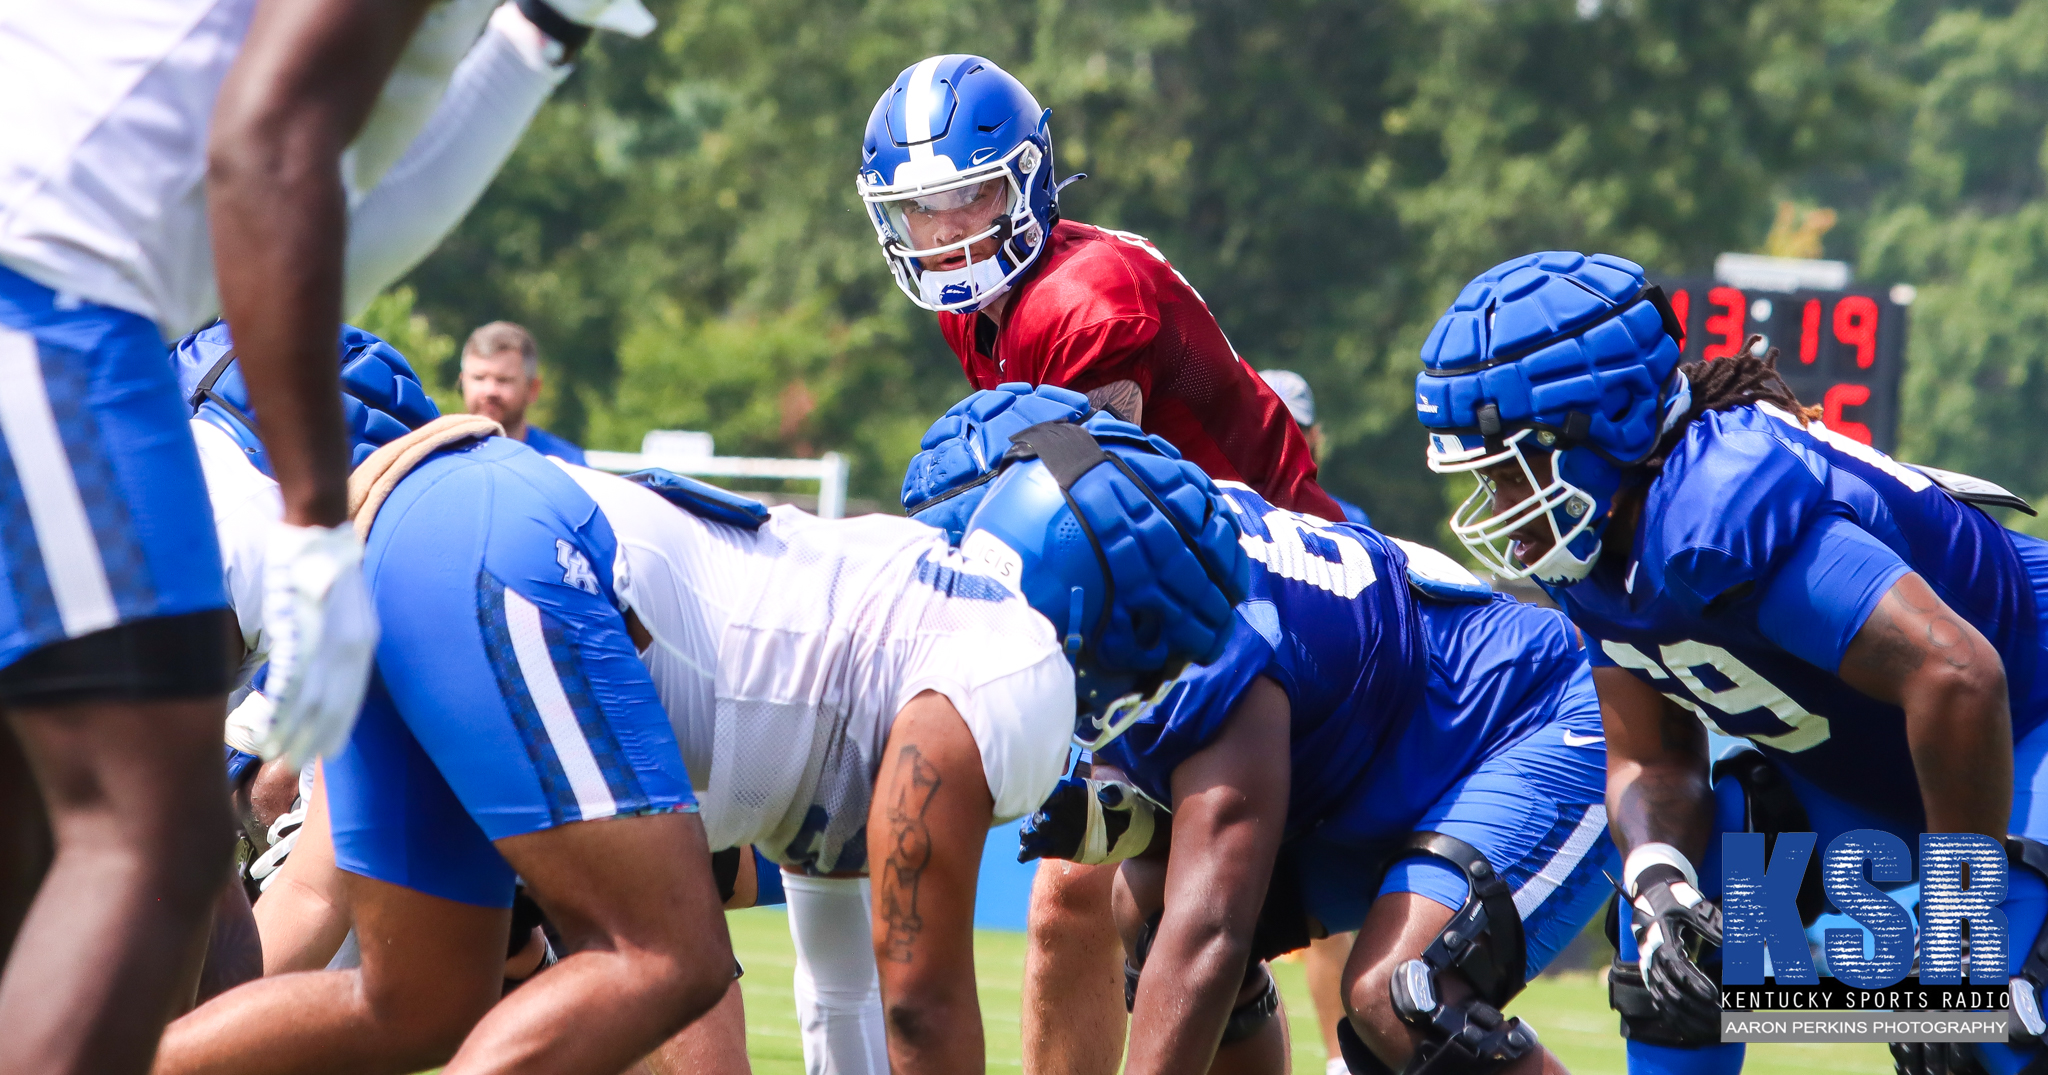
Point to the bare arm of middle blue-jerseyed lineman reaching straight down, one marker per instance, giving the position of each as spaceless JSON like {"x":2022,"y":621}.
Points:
{"x":1230,"y":810}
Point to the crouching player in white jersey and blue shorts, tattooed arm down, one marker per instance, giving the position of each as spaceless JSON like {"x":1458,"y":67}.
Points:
{"x":923,"y":693}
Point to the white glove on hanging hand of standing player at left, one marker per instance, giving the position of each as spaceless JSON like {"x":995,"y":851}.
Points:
{"x":323,"y":640}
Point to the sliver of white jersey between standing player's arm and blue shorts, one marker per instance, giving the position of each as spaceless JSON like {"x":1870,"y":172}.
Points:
{"x":247,"y":507}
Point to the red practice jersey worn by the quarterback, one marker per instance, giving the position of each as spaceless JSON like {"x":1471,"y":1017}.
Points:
{"x":1105,"y":306}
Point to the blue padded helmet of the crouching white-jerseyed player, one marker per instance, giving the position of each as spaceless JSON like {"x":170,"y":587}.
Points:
{"x":1125,"y":548}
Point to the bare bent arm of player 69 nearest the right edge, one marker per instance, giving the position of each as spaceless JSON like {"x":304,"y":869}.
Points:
{"x":1918,"y":654}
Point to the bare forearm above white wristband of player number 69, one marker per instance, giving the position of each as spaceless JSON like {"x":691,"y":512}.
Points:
{"x":1658,"y":789}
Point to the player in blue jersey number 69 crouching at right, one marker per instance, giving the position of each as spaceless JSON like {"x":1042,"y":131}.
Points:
{"x":1738,"y":566}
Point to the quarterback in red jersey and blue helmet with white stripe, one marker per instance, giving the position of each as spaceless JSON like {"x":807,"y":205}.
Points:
{"x":957,"y":173}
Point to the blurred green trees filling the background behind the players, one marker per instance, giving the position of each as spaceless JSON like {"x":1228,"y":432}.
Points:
{"x":683,"y":234}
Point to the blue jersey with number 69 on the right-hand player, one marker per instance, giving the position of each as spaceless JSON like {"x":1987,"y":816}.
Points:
{"x":1760,"y":554}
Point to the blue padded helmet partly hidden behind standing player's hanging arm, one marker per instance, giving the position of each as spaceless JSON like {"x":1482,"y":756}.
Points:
{"x":382,"y":396}
